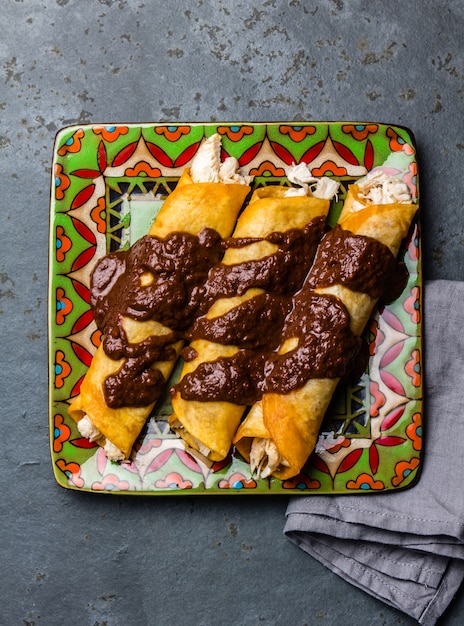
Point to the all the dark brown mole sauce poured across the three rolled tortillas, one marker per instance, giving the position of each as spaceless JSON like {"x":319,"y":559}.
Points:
{"x":186,"y":277}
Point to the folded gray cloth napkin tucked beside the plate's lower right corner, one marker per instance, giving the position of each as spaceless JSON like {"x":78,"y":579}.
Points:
{"x":406,"y":547}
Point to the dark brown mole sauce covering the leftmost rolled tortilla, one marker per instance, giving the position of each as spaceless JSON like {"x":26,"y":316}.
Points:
{"x":177,"y":266}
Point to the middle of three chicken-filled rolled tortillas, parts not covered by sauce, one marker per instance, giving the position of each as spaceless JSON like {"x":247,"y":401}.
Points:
{"x":208,"y":425}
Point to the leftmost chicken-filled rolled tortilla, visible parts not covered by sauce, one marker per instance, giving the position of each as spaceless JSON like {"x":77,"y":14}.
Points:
{"x":208,"y":195}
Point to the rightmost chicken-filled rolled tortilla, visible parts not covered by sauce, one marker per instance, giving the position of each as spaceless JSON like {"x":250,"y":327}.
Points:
{"x":281,"y":431}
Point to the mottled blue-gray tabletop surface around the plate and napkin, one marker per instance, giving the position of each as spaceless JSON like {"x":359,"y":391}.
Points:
{"x":70,"y":558}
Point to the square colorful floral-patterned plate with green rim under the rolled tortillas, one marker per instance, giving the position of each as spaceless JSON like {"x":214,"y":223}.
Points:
{"x":108,"y":185}
